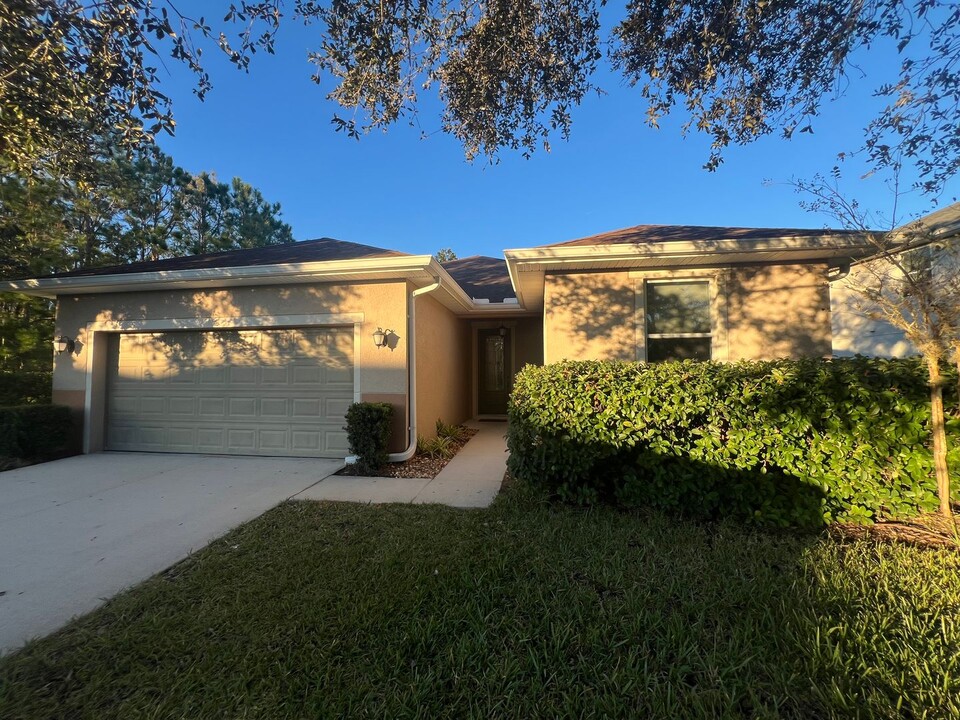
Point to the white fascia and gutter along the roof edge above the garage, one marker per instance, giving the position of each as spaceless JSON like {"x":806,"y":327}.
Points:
{"x":365,"y":268}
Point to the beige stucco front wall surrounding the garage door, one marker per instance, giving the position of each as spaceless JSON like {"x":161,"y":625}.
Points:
{"x":380,"y":372}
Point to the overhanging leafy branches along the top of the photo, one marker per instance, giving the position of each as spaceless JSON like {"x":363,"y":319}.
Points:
{"x":508,"y":74}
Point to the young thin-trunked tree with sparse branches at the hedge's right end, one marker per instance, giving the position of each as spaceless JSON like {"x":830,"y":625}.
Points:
{"x":910,"y":280}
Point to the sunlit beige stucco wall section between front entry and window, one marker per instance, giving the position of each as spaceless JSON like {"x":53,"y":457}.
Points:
{"x":589,"y":316}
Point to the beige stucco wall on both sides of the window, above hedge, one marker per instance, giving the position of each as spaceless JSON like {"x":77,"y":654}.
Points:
{"x":759,"y":312}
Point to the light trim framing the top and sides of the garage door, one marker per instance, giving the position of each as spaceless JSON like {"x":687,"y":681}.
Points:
{"x":97,"y":333}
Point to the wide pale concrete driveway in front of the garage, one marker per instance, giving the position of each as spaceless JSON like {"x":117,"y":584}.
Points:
{"x":75,"y":532}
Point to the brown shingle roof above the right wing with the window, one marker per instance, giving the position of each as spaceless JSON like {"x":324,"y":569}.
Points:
{"x":642,"y":234}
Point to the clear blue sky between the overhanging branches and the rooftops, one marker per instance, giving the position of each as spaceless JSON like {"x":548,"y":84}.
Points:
{"x":272,"y":128}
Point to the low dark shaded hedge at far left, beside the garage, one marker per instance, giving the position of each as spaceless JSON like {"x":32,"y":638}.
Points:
{"x":34,"y":431}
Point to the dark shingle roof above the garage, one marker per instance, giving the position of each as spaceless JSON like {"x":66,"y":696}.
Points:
{"x":320,"y":250}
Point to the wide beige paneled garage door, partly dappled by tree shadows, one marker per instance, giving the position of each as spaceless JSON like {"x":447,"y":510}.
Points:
{"x":238,"y":392}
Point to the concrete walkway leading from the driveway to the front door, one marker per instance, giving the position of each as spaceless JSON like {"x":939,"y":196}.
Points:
{"x":471,"y":480}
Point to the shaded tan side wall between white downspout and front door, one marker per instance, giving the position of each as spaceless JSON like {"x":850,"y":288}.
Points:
{"x":443,"y":366}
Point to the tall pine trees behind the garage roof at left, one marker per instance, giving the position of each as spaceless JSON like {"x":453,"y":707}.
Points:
{"x":127,"y":208}
